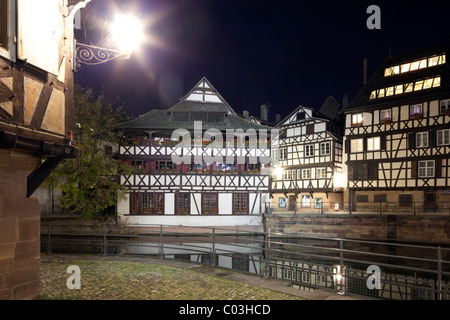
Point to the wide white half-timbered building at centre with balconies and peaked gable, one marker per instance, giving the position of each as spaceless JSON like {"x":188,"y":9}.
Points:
{"x":191,"y":169}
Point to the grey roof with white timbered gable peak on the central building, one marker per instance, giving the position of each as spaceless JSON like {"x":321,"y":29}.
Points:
{"x":203,"y":98}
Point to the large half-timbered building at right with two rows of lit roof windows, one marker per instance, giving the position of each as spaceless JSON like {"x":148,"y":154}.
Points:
{"x":397,"y":133}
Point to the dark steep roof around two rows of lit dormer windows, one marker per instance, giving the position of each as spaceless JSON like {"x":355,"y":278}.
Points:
{"x":379,"y":80}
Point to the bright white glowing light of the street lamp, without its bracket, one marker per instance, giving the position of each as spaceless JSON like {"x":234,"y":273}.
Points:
{"x":127,"y":32}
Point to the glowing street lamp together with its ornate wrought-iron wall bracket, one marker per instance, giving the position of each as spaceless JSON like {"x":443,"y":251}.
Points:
{"x":126,"y":33}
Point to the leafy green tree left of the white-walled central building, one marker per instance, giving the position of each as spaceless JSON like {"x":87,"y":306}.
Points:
{"x":90,"y":182}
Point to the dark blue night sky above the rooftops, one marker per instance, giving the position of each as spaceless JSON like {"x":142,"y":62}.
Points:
{"x":287,"y":53}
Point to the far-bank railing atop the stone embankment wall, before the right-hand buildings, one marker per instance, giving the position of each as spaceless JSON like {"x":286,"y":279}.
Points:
{"x":348,"y":208}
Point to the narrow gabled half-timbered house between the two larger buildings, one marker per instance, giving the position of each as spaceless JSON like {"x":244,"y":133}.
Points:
{"x":308,"y":160}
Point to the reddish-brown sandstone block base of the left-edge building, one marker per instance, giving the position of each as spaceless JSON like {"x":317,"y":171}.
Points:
{"x":19,"y":229}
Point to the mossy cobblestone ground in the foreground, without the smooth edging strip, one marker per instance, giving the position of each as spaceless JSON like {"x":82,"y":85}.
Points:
{"x":125,"y":280}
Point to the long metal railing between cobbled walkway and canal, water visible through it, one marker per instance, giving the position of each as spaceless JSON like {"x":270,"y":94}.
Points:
{"x":407,"y":272}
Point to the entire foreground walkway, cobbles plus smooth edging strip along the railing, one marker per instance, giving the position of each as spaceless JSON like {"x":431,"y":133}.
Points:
{"x":142,"y":278}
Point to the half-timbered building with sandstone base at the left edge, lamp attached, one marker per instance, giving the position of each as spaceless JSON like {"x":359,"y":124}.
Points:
{"x":36,"y":102}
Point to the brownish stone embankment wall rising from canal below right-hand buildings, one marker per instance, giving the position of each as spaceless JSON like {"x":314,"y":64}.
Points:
{"x":407,"y":229}
